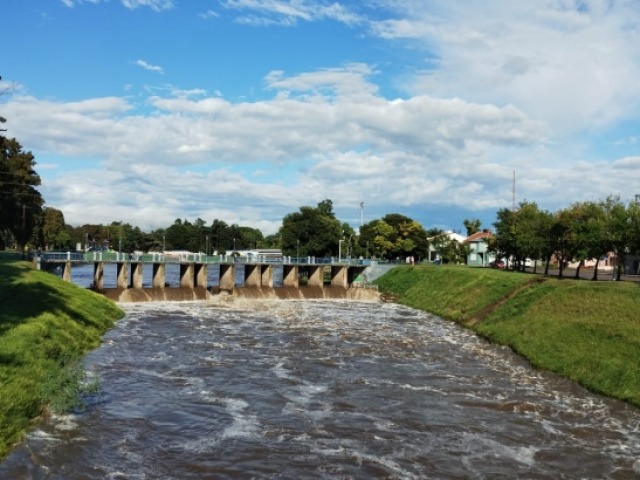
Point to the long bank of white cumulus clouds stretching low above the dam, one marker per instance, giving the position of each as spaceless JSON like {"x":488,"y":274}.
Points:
{"x":322,"y":134}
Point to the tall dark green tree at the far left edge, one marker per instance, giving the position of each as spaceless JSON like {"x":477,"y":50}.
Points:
{"x":20,"y":202}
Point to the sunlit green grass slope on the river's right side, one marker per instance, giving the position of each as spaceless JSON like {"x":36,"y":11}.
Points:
{"x":586,"y":331}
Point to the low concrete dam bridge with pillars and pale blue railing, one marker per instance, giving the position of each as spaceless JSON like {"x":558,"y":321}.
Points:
{"x":195,"y":270}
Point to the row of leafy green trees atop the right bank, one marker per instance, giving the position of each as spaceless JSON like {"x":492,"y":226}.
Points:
{"x":580,"y":232}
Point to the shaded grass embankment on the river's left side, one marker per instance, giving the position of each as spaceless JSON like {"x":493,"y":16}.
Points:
{"x":46,"y":325}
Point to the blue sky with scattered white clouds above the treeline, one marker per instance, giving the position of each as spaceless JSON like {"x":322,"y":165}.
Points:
{"x":148,"y":111}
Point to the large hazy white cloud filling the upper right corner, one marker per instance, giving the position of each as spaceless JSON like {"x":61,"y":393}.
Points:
{"x":571,"y":64}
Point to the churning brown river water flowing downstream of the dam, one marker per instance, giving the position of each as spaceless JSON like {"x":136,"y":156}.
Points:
{"x":249,"y":389}
